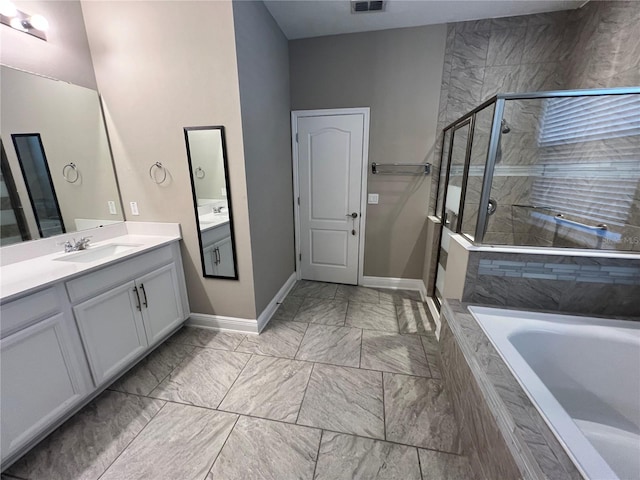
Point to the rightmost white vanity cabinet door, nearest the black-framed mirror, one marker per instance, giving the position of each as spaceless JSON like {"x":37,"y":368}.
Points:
{"x":161,"y":303}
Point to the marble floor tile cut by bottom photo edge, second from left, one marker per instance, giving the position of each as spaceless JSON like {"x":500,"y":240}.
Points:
{"x":181,"y":442}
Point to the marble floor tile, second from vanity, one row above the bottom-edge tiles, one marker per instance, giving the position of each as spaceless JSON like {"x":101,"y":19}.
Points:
{"x":203,"y":379}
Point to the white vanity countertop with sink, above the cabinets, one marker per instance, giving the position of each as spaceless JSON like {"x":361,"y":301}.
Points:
{"x":27,"y":275}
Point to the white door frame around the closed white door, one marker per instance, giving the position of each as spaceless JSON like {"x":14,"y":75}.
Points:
{"x":295,"y":115}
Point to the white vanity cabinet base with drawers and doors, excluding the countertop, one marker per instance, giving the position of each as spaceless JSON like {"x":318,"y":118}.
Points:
{"x":61,"y":345}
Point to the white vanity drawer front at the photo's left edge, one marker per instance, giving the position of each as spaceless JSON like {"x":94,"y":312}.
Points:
{"x":25,"y":311}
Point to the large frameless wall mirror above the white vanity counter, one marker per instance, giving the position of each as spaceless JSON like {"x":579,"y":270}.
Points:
{"x":57,"y":171}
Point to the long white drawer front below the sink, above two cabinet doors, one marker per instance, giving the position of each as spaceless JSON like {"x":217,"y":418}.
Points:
{"x":108,"y":278}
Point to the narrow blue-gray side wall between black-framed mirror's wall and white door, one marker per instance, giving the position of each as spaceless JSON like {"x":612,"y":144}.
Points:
{"x":263,"y":71}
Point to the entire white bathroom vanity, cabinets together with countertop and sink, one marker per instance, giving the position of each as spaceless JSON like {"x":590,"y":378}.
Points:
{"x":74,"y":322}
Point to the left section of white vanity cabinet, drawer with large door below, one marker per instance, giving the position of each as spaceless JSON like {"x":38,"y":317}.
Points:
{"x":42,"y":369}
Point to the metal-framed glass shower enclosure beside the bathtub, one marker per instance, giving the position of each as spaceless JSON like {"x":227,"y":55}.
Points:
{"x":543,"y":169}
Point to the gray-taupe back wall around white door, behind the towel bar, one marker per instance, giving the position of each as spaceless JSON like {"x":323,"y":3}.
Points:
{"x":397,"y":74}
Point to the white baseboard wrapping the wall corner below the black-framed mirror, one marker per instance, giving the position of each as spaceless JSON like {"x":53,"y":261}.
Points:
{"x":244,"y":325}
